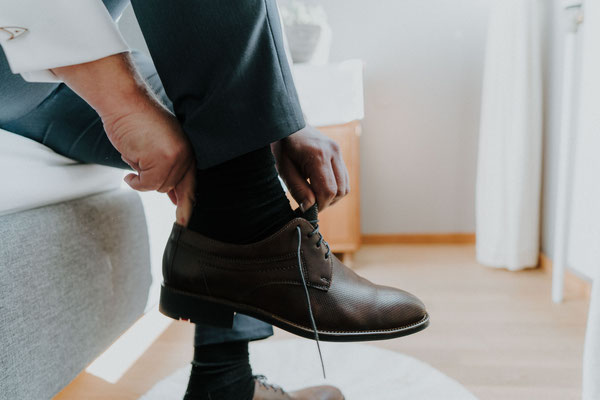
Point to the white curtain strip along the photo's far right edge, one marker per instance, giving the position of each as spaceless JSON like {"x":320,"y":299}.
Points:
{"x":584,"y":238}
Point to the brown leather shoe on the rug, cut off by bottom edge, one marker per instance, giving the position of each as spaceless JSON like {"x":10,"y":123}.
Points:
{"x":267,"y":391}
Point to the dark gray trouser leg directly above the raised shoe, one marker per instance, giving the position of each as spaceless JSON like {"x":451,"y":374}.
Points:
{"x":223,"y":66}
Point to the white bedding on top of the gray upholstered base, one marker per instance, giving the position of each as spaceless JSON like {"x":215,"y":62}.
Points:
{"x":32,"y":175}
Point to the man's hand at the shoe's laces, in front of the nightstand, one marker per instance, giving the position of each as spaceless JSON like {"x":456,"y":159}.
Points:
{"x":308,"y":154}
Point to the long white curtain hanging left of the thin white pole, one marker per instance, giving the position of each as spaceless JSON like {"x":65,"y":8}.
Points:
{"x":510,"y":140}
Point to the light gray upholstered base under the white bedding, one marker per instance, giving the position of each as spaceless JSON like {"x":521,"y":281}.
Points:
{"x":73,"y":277}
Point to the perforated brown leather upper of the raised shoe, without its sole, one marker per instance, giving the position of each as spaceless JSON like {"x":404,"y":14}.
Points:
{"x":265,"y":276}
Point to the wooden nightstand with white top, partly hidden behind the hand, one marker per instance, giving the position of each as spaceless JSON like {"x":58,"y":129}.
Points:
{"x":331,"y":96}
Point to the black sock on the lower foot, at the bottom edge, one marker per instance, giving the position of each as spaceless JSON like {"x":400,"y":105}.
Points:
{"x":221,"y":372}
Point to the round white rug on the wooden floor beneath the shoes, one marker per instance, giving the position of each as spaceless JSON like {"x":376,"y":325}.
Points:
{"x":363,"y":372}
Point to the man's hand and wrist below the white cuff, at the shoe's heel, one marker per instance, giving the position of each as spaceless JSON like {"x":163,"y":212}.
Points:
{"x":147,"y":135}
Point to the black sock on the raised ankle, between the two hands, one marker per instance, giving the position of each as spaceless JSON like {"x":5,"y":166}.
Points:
{"x":241,"y":200}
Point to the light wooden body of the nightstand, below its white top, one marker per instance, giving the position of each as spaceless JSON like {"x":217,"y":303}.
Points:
{"x":340,"y":224}
